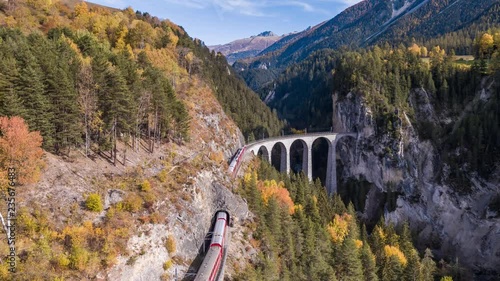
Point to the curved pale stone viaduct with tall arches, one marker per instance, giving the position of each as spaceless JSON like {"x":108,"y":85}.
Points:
{"x":264,"y":148}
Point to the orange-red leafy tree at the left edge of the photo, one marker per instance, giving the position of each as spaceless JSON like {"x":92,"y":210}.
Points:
{"x":20,"y":149}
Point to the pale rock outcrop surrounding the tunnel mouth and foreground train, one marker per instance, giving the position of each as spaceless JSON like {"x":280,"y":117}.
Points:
{"x":189,"y":224}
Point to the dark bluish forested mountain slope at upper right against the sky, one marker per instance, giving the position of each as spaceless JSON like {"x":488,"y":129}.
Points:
{"x":376,"y":21}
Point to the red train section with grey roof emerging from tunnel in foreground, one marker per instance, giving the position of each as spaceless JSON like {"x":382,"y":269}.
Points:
{"x":210,"y":268}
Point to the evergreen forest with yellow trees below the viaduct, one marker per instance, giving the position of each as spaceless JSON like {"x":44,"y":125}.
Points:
{"x":303,"y":234}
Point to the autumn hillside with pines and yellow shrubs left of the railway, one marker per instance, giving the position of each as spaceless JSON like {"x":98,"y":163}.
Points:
{"x":137,"y":121}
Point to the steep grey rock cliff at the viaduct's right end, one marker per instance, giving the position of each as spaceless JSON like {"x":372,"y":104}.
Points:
{"x":452,"y":225}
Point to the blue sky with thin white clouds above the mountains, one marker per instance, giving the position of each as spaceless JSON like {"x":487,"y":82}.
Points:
{"x":222,"y":21}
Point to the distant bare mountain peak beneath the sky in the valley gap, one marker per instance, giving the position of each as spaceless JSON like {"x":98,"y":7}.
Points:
{"x":247,"y":47}
